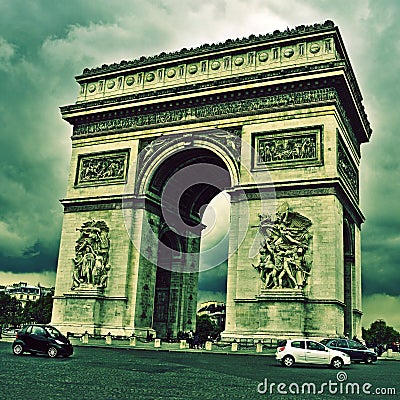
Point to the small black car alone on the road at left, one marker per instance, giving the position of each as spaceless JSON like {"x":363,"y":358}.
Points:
{"x":43,"y":339}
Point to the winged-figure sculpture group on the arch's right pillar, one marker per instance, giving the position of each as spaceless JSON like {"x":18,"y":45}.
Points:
{"x":284,"y":259}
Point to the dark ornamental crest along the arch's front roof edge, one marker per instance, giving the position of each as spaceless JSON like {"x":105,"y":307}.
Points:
{"x":207,"y":48}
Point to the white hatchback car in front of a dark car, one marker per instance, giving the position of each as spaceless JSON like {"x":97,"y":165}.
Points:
{"x":309,"y":351}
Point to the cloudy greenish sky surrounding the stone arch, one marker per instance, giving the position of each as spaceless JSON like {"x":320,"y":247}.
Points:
{"x":45,"y":43}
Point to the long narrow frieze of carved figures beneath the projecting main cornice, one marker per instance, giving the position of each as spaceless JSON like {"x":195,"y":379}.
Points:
{"x":239,"y":107}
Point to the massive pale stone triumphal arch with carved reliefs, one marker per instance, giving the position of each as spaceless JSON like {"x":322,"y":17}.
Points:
{"x":277,"y":121}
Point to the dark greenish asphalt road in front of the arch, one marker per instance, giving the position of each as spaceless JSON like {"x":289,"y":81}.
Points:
{"x":122,"y":373}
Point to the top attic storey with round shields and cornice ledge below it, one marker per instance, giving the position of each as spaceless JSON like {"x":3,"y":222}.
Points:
{"x":115,"y":85}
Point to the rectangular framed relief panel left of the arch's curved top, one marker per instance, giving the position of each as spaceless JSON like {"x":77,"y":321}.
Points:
{"x":102,"y":168}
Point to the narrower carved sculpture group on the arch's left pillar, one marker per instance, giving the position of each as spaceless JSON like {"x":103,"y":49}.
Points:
{"x":91,"y":262}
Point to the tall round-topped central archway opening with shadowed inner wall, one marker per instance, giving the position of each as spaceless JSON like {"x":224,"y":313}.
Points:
{"x":178,"y":197}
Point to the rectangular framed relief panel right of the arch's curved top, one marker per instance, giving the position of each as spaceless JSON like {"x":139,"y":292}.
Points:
{"x":285,"y":149}
